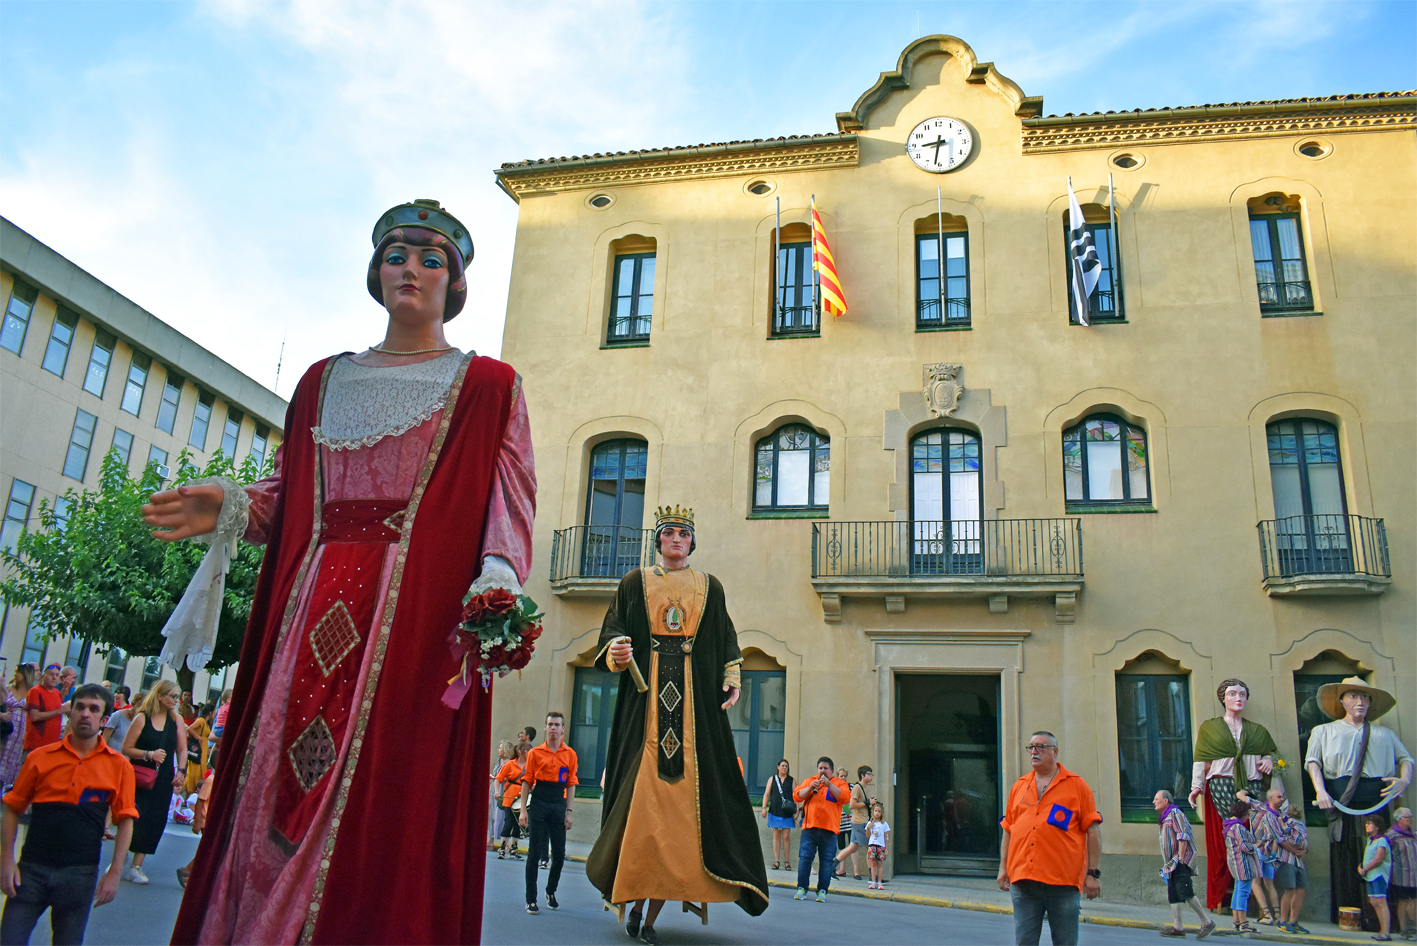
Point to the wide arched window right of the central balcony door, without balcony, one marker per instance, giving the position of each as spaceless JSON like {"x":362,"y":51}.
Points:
{"x":1105,"y":461}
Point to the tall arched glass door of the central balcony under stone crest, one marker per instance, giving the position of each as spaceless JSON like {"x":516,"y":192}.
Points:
{"x":946,"y":501}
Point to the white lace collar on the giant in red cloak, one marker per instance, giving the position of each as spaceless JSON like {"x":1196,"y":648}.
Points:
{"x":366,"y":404}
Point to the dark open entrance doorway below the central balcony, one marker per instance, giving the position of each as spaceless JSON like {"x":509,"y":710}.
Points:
{"x":947,"y":787}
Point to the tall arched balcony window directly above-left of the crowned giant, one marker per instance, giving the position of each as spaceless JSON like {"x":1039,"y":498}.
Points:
{"x":616,"y":509}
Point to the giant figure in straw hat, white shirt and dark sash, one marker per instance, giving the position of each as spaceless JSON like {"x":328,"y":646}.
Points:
{"x":1358,"y":767}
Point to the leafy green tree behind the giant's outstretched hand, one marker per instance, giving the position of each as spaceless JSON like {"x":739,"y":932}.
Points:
{"x":96,"y":573}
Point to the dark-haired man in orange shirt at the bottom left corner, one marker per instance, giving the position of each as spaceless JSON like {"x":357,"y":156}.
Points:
{"x":69,"y":787}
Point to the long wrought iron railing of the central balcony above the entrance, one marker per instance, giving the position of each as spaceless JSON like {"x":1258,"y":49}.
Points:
{"x":986,"y":549}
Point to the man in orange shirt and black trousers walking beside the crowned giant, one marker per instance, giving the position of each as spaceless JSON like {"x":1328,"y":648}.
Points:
{"x":548,"y":792}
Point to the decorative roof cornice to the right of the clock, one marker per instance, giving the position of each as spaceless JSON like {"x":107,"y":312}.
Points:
{"x":1224,"y":122}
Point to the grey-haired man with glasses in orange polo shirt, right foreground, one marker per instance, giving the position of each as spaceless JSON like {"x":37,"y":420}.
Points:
{"x":1052,"y":846}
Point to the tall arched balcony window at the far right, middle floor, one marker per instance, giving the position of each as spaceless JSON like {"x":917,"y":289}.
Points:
{"x":1310,"y":508}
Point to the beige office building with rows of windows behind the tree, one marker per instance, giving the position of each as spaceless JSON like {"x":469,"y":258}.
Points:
{"x":86,"y":372}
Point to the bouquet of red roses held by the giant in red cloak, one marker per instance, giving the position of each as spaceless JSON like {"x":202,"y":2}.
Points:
{"x":497,"y":635}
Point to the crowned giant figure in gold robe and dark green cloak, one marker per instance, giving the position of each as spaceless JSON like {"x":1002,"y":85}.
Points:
{"x":677,"y":824}
